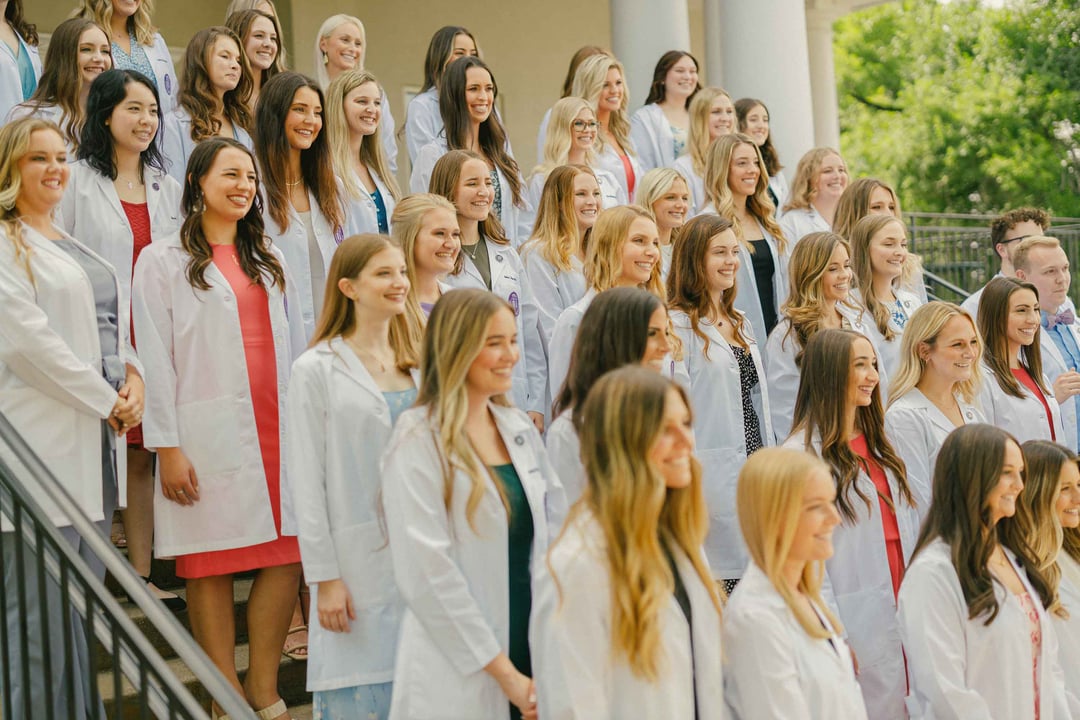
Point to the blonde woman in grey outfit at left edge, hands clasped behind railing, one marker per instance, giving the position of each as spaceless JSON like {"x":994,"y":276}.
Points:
{"x":66,"y":372}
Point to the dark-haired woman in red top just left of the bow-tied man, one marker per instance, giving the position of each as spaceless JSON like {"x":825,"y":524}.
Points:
{"x":1017,"y":396}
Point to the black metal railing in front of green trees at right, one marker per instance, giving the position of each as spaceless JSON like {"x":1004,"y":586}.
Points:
{"x":957,"y":255}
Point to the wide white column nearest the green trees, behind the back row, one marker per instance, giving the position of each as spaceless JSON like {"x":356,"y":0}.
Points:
{"x":765,"y":56}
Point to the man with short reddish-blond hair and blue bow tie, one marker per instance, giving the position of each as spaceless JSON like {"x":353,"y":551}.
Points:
{"x":1042,"y":262}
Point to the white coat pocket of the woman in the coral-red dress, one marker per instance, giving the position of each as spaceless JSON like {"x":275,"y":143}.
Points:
{"x":209,"y":432}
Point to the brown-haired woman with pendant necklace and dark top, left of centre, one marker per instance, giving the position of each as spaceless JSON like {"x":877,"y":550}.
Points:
{"x":491,"y":264}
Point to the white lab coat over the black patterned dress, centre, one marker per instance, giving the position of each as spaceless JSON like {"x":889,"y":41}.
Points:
{"x":720,"y":433}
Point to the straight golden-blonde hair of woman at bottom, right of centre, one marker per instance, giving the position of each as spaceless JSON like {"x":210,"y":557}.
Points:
{"x":769,"y":500}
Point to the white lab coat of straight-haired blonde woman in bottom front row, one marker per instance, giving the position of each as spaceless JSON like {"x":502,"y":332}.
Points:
{"x":774,"y":670}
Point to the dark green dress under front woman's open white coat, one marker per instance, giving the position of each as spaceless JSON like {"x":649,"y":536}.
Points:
{"x":520,"y":538}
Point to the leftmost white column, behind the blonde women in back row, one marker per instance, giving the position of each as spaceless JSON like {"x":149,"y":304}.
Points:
{"x":643,"y":31}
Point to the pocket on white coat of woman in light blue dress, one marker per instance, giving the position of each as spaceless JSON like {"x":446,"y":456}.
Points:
{"x":364,"y":558}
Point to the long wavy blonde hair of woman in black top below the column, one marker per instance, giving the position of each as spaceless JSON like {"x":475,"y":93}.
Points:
{"x":719,"y":193}
